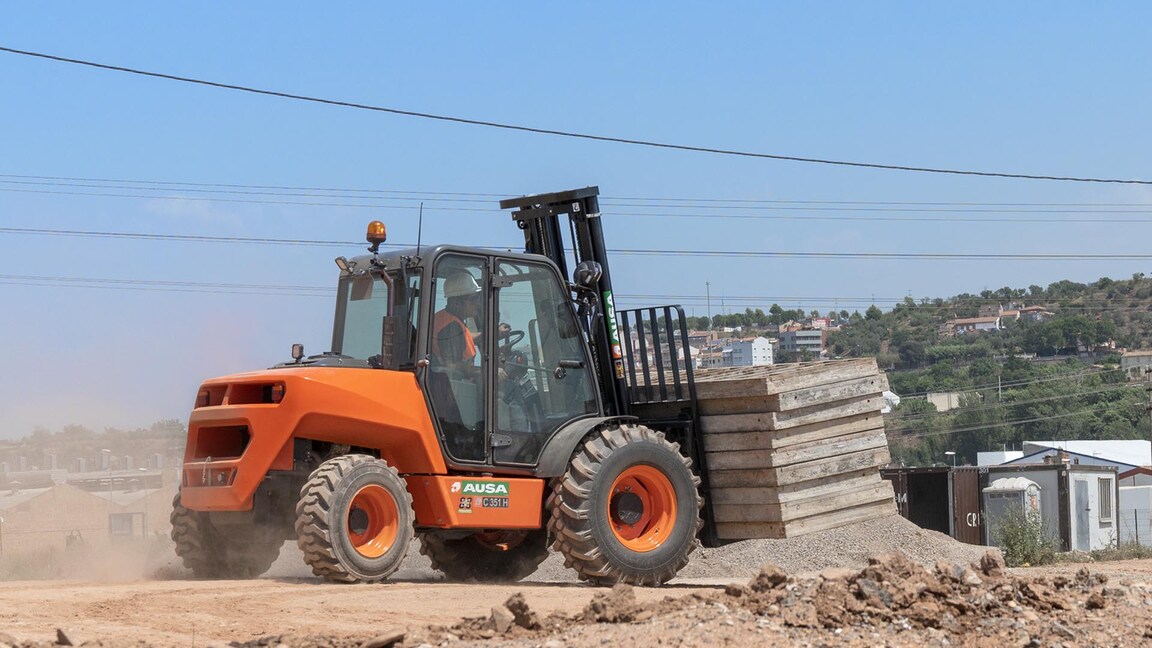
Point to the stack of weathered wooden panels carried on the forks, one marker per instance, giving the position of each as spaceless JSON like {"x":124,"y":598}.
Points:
{"x":794,"y":449}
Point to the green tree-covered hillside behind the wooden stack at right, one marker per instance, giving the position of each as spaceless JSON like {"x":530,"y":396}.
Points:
{"x":1051,"y":380}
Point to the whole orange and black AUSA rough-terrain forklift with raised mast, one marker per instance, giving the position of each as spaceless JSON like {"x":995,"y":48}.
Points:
{"x":474,"y":400}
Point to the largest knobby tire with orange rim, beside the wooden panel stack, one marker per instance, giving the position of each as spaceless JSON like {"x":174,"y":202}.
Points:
{"x":628,"y":508}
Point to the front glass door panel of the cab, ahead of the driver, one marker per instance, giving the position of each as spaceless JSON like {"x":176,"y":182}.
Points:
{"x":543,"y":372}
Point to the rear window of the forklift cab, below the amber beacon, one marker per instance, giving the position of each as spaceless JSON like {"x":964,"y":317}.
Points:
{"x":362,"y":304}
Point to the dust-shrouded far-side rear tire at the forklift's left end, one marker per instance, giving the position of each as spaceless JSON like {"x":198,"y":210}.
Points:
{"x":237,"y":552}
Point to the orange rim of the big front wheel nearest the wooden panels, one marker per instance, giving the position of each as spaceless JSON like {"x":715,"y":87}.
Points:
{"x":642,"y":508}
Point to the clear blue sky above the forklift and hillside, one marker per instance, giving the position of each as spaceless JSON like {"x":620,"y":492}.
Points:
{"x":1018,"y":88}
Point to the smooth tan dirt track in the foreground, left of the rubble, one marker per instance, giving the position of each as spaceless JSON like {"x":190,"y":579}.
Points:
{"x":187,"y":613}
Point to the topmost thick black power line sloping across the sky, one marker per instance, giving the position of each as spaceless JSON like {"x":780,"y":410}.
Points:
{"x":566,"y":133}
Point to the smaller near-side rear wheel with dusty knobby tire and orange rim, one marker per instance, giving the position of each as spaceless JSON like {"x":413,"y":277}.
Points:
{"x":354,"y":519}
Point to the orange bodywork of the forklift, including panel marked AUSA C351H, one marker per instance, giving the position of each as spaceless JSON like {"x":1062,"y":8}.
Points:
{"x":238,"y":434}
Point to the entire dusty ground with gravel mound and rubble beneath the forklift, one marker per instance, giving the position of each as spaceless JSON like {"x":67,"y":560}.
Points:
{"x":855,"y":602}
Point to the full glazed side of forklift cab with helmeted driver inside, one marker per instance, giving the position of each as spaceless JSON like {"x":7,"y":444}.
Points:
{"x":498,"y":398}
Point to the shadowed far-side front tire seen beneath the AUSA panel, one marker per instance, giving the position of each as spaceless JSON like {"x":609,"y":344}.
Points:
{"x":488,"y":556}
